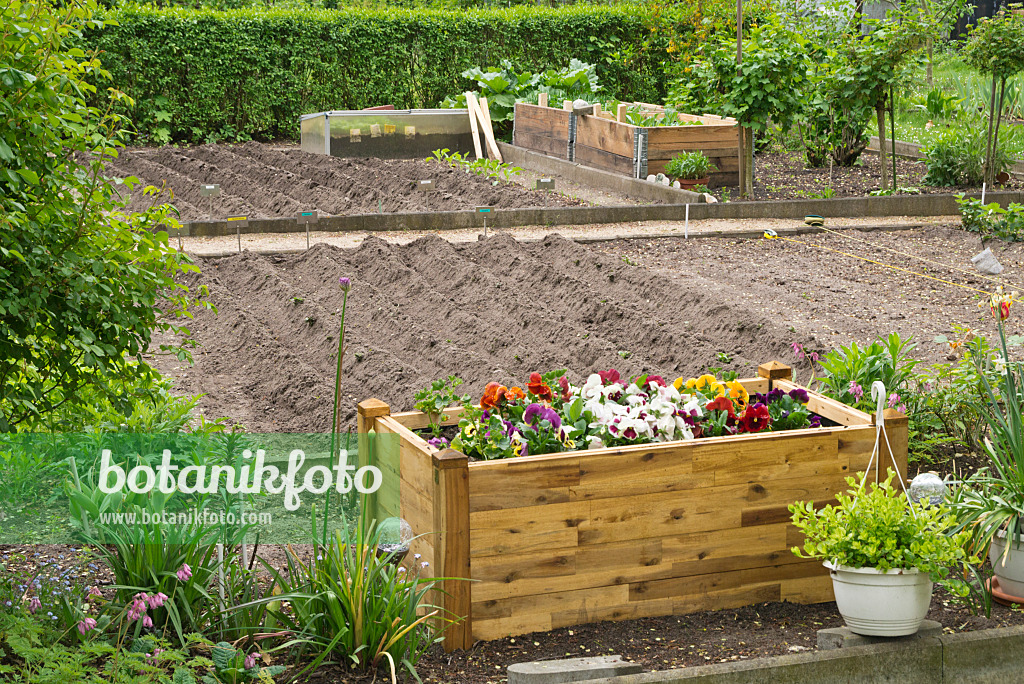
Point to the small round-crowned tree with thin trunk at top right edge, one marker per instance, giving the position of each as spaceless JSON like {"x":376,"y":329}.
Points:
{"x":996,"y":48}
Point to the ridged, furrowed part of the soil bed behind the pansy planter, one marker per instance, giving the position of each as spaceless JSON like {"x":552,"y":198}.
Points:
{"x":496,"y":310}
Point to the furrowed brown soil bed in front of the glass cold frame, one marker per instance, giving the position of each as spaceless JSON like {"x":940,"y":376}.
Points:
{"x":262,"y":182}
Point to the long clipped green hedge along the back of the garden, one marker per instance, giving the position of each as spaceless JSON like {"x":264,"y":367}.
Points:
{"x":253,"y":72}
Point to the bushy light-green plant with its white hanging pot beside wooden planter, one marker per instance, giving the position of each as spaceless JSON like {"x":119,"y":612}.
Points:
{"x":884,"y":554}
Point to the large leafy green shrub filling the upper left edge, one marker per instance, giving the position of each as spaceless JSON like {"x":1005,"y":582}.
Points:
{"x":86,"y":284}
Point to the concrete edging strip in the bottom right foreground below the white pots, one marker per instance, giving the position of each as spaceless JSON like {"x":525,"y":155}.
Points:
{"x":986,"y":657}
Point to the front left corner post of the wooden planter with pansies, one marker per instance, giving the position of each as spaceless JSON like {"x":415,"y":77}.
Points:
{"x":452,"y":547}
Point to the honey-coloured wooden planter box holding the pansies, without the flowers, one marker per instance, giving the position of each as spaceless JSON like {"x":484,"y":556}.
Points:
{"x":616,"y":534}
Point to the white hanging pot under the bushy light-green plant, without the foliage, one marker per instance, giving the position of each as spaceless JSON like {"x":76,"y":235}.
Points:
{"x":881,"y":605}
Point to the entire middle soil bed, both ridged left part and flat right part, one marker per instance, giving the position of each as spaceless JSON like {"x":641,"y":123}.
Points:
{"x":498,"y":310}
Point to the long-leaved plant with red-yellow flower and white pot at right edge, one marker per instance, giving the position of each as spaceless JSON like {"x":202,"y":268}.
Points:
{"x":991,"y":503}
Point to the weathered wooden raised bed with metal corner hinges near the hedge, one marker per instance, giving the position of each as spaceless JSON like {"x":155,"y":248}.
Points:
{"x":625,"y":149}
